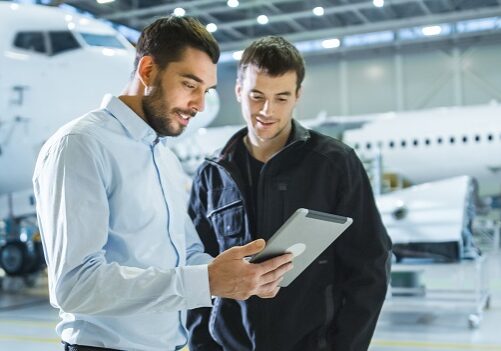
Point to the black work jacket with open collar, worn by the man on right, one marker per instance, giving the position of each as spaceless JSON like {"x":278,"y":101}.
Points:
{"x":335,"y":303}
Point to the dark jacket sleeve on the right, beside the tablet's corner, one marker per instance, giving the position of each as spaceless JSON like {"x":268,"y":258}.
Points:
{"x":363,"y":256}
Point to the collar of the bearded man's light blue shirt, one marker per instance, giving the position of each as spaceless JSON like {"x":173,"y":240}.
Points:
{"x":137,"y":128}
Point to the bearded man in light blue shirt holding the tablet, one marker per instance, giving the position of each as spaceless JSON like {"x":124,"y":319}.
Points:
{"x":124,"y":260}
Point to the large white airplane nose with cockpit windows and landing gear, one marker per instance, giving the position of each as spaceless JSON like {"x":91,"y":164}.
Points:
{"x":54,"y":67}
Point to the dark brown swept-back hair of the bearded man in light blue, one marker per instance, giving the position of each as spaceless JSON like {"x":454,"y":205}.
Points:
{"x":167,"y":38}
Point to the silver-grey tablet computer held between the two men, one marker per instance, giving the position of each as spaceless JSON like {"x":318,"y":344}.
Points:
{"x":306,"y":234}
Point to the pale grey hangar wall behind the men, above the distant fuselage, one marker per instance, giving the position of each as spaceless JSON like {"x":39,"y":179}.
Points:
{"x":387,"y":80}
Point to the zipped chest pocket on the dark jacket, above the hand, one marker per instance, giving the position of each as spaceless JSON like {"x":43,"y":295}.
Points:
{"x":228,"y":224}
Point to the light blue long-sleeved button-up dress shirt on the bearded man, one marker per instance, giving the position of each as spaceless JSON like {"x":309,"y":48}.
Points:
{"x":124,"y":260}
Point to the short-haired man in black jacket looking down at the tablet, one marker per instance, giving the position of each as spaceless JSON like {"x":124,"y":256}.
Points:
{"x":263,"y":174}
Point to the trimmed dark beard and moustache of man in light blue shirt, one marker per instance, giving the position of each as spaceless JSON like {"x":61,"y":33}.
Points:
{"x":159,"y":114}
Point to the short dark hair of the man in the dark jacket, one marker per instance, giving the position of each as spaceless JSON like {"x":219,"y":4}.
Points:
{"x":275,"y":55}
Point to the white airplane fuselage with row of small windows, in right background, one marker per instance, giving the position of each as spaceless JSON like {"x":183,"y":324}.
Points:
{"x":436,"y":144}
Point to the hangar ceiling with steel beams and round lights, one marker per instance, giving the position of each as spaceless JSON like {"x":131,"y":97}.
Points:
{"x":347,"y":20}
